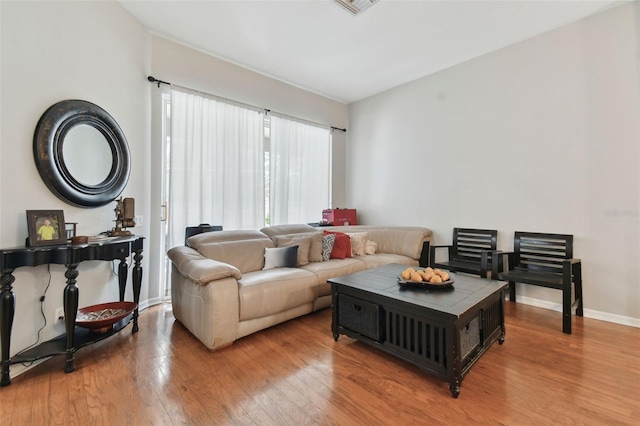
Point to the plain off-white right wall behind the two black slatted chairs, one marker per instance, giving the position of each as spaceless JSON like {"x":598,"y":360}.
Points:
{"x":540,"y":136}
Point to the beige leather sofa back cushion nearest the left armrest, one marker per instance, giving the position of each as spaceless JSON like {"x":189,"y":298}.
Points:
{"x":243,"y":249}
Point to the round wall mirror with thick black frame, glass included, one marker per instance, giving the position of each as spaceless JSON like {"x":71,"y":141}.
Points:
{"x":81,"y":153}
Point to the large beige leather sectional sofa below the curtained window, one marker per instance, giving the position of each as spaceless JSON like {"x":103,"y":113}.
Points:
{"x":220,"y":291}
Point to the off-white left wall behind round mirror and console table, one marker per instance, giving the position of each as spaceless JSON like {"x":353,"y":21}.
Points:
{"x":53,"y":51}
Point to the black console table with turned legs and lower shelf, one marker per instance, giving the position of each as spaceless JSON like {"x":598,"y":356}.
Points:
{"x":69,"y":255}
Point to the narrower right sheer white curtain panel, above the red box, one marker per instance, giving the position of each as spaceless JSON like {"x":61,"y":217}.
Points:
{"x":299,"y":171}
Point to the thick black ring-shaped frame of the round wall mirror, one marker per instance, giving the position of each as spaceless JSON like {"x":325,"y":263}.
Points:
{"x":48,"y":142}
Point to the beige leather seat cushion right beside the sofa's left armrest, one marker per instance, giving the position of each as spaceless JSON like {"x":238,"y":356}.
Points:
{"x":275,"y":290}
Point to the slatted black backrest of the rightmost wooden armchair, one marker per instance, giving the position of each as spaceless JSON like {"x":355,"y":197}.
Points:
{"x":542,"y":252}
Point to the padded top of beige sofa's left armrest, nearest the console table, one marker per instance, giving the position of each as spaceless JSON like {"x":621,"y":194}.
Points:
{"x":199,"y":269}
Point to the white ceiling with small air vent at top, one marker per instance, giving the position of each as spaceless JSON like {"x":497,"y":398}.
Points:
{"x":319,"y":46}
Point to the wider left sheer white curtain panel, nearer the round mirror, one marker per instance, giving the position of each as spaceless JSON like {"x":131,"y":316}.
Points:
{"x":216,"y":164}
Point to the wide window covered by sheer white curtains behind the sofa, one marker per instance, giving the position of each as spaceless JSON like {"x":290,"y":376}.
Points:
{"x":235,"y":165}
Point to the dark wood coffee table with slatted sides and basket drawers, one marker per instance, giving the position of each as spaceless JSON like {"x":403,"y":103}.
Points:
{"x":442,"y":331}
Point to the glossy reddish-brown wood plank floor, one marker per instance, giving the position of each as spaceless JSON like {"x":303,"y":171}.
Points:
{"x":295,"y":374}
